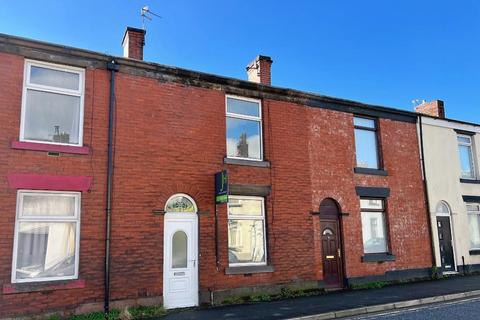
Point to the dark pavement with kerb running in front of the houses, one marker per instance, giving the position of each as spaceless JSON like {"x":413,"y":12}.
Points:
{"x":342,"y":303}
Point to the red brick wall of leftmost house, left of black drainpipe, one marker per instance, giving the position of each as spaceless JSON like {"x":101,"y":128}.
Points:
{"x":24,"y":161}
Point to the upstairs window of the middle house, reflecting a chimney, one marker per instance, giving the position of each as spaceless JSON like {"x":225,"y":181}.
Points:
{"x":244,"y":128}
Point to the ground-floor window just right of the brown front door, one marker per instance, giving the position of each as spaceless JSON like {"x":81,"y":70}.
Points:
{"x":373,"y":226}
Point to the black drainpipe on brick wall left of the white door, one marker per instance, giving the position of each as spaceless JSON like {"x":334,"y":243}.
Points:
{"x":112,"y":67}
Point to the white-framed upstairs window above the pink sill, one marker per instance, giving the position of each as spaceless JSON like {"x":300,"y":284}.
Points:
{"x":52,"y":106}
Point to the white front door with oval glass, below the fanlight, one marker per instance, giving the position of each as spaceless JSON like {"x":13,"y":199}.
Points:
{"x":180,"y":260}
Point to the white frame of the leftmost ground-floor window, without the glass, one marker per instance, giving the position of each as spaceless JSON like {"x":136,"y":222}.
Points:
{"x":40,"y":219}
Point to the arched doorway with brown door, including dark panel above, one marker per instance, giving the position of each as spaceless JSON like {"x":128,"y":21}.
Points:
{"x":331,"y":238}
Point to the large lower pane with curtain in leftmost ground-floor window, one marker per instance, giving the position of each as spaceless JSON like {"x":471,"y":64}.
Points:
{"x":45,"y":250}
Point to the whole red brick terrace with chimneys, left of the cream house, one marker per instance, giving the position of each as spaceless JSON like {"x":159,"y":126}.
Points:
{"x":107,"y":189}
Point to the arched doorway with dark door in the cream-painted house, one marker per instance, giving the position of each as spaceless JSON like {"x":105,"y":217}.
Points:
{"x":445,"y":238}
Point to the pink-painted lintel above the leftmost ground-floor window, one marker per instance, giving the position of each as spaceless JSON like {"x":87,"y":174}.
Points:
{"x":48,"y":182}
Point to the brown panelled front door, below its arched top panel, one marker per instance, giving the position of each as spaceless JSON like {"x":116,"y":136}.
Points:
{"x":331,"y":253}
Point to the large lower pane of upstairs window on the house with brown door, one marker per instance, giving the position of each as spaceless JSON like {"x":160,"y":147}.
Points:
{"x":366,"y":149}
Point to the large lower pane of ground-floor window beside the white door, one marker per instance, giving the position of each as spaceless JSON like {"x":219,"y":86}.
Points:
{"x":246,"y":241}
